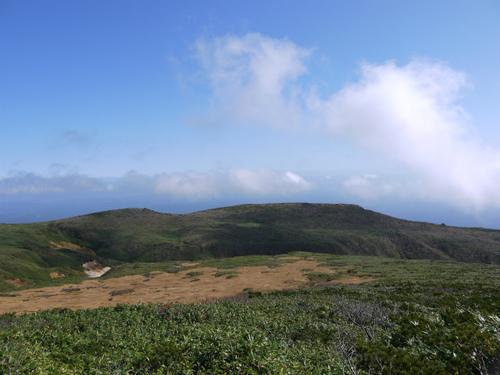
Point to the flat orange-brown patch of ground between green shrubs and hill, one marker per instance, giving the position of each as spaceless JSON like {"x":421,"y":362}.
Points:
{"x":164,"y":287}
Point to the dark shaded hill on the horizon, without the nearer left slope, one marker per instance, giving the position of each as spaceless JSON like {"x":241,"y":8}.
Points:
{"x":130,"y":235}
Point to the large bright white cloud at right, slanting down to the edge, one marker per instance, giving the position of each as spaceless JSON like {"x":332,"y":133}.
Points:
{"x":410,"y":114}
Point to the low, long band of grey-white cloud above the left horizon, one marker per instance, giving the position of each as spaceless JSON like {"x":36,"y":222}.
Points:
{"x":189,"y":185}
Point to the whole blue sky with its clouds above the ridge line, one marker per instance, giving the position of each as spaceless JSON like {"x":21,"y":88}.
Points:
{"x":180,"y":106}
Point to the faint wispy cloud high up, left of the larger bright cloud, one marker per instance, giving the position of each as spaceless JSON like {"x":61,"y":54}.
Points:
{"x":253,"y":78}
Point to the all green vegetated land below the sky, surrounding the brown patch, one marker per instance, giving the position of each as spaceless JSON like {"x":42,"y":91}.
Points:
{"x":426,"y":298}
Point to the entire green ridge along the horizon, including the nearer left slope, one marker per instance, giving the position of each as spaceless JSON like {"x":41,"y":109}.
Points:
{"x":33,"y":251}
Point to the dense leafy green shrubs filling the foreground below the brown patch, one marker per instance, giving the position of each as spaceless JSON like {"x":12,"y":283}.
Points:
{"x":381,"y":329}
